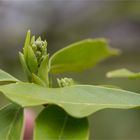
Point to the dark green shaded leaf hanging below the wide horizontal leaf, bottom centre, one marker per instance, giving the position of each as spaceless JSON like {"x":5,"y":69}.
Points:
{"x":53,"y":123}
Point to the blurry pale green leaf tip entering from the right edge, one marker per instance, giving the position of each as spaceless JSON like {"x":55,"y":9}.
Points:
{"x":123,"y":73}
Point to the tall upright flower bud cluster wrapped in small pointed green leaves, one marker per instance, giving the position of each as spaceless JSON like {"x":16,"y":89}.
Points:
{"x":35,"y":55}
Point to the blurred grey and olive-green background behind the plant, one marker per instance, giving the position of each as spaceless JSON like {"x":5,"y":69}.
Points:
{"x":63,"y":22}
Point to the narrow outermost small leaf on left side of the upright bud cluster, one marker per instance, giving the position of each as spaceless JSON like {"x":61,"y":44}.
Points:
{"x":24,"y":66}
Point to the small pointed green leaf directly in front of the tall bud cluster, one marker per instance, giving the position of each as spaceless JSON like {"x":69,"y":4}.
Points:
{"x":31,"y":60}
